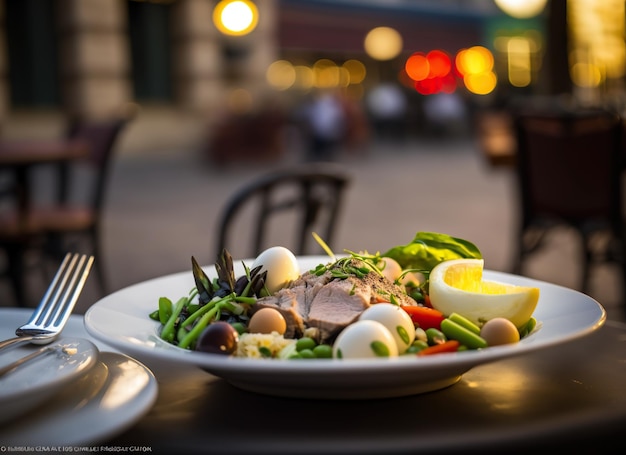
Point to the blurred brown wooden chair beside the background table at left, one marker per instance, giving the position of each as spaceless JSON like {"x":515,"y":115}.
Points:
{"x":50,"y":230}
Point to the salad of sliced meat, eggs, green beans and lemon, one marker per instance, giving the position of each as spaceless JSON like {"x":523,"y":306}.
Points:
{"x":424,"y":298}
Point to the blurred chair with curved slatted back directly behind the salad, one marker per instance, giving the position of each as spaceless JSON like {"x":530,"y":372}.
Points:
{"x":294,"y":202}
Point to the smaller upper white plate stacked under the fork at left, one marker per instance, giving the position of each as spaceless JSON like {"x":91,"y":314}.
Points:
{"x":39,"y":379}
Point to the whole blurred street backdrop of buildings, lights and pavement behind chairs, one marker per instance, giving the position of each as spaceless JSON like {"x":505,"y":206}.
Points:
{"x":423,"y":87}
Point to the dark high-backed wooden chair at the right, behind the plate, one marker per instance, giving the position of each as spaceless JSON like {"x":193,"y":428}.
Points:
{"x":569,"y":169}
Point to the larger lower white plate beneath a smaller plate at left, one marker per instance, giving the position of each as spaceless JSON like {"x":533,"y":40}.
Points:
{"x":115,"y":393}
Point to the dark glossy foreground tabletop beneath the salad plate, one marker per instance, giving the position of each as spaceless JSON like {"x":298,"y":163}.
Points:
{"x":571,"y":395}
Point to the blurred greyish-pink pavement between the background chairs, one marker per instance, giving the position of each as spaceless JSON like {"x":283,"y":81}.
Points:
{"x":162,"y":209}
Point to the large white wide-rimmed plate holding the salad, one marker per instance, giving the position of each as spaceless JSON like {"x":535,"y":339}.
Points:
{"x":121,"y":319}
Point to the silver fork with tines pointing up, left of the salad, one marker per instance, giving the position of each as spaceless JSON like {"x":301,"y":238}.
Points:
{"x":49,"y":318}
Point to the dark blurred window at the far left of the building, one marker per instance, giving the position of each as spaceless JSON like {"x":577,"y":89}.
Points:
{"x":32,"y":53}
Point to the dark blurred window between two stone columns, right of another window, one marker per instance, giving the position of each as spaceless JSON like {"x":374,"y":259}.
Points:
{"x":150,"y":44}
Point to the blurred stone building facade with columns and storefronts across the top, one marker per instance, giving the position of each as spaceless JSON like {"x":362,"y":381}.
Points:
{"x":89,"y":57}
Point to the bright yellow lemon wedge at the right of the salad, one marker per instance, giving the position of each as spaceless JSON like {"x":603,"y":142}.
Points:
{"x":457,"y":286}
